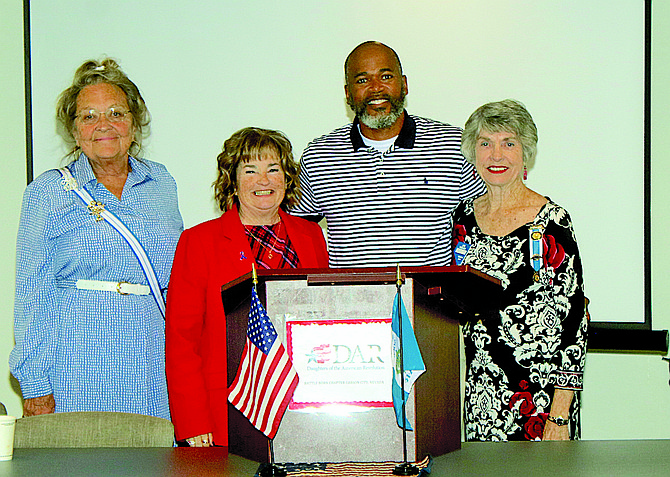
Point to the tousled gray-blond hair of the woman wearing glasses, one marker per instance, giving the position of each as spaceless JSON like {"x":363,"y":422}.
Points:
{"x":92,"y":72}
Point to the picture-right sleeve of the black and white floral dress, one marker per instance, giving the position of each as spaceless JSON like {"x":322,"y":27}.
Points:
{"x":561,"y":257}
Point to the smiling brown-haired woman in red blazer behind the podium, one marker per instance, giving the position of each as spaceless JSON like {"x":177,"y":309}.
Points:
{"x":257,"y":181}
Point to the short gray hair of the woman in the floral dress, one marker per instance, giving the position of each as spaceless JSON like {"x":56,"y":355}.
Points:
{"x":508,"y":115}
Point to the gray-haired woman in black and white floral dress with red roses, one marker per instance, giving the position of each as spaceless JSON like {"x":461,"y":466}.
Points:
{"x":525,"y":364}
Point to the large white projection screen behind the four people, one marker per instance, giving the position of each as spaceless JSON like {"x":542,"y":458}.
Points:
{"x":209,"y":68}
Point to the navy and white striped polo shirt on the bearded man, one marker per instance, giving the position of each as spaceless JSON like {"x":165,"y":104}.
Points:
{"x":389,"y":208}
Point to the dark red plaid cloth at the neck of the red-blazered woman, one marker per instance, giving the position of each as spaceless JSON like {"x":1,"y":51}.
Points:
{"x":271,"y":246}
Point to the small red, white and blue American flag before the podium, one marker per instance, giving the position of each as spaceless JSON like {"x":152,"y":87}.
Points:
{"x":266,"y":378}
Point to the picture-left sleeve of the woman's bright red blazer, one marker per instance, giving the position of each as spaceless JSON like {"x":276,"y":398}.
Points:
{"x":184,"y":325}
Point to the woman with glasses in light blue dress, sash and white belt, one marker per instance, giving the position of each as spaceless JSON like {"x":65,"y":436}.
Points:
{"x":88,"y":319}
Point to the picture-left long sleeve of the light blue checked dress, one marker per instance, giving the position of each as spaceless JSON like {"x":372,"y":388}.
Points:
{"x":35,"y":306}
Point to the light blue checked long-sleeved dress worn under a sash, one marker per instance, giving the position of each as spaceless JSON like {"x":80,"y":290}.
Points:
{"x":94,"y":350}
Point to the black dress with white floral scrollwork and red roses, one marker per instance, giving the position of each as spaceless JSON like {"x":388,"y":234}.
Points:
{"x":537,"y":341}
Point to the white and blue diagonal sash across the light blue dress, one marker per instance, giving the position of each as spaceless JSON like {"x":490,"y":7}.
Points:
{"x":99,"y":211}
